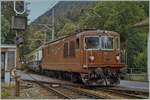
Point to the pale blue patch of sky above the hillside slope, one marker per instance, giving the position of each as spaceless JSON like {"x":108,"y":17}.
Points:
{"x":39,"y":7}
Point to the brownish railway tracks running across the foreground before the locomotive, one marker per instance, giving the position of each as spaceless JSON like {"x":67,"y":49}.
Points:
{"x":65,"y":91}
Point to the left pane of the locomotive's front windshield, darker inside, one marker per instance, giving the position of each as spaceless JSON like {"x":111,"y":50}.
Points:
{"x":92,"y":43}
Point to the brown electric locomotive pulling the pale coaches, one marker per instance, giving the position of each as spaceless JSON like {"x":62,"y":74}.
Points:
{"x":92,"y":56}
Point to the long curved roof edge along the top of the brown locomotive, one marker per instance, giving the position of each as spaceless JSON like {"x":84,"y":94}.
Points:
{"x":84,"y":31}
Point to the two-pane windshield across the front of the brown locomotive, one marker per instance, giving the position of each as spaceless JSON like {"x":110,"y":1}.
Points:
{"x":97,"y":42}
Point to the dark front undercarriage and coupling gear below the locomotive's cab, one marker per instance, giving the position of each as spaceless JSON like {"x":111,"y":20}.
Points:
{"x":104,"y":77}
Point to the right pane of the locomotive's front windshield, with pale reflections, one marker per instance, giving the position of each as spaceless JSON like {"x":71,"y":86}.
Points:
{"x":107,"y":42}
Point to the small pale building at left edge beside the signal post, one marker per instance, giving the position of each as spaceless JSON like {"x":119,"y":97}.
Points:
{"x":8,"y":61}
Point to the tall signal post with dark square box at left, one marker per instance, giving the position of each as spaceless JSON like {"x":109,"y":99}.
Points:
{"x":19,"y":24}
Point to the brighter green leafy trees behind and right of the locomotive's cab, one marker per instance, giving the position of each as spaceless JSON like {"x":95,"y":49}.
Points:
{"x":120,"y":17}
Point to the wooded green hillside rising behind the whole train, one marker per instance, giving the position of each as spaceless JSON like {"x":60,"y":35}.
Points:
{"x":120,"y":16}
